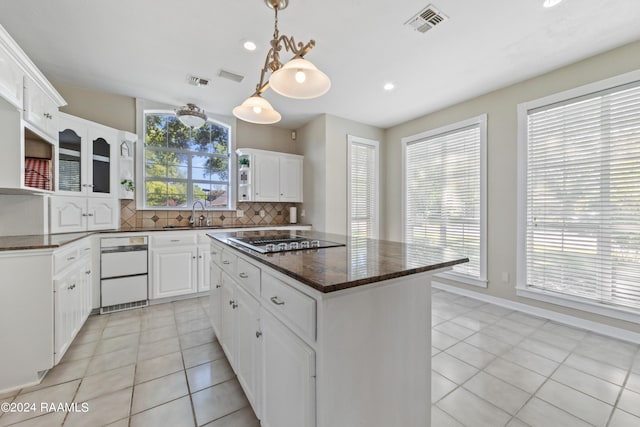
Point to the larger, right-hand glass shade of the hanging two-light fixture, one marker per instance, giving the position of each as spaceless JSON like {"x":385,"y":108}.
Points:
{"x":299,"y":79}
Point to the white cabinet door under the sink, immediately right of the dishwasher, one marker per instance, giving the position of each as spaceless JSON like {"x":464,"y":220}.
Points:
{"x":174,"y":271}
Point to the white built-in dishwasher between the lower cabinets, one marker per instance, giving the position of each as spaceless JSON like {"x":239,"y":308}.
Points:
{"x":123,"y":273}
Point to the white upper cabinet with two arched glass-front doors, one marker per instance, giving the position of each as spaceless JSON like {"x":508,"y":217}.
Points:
{"x":87,"y":158}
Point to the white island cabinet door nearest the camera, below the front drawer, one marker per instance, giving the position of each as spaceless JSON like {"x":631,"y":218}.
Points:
{"x":288,"y":367}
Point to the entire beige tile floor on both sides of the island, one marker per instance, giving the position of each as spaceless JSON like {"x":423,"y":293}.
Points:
{"x":491,"y":367}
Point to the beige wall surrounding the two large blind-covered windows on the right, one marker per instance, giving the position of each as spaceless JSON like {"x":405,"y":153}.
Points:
{"x":500,"y":107}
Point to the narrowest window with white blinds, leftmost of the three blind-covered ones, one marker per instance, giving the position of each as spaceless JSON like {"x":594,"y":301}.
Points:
{"x":363,"y":187}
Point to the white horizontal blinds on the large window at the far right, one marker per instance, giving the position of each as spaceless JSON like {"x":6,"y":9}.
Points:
{"x":583,"y":197}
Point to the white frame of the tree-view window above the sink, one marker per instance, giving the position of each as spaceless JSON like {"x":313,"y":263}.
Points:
{"x":143,"y":109}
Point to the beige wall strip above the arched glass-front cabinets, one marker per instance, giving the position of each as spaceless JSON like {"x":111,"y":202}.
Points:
{"x":111,"y":110}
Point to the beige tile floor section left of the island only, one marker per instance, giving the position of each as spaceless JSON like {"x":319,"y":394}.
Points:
{"x":156,"y":366}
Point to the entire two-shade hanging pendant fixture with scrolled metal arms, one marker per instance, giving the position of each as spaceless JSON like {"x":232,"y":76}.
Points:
{"x":298,"y":78}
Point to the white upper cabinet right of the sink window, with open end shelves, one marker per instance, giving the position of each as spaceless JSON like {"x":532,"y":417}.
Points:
{"x":269,"y":176}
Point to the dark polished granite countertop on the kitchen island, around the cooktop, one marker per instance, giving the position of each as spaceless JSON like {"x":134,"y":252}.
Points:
{"x":359,"y":262}
